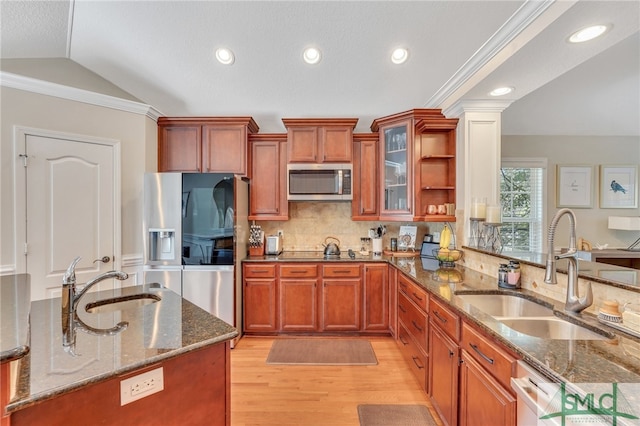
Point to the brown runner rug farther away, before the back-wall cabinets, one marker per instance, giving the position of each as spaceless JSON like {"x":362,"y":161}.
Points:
{"x":322,"y":352}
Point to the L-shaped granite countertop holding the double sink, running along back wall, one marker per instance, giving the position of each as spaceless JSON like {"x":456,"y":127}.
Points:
{"x":571,"y":361}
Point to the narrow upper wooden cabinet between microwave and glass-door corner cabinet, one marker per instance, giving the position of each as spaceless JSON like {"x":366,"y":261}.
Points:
{"x":364,"y":205}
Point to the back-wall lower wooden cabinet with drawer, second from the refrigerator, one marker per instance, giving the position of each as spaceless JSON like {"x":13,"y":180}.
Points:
{"x":298,"y":297}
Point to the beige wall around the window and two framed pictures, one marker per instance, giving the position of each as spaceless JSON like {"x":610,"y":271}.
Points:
{"x":581,"y":150}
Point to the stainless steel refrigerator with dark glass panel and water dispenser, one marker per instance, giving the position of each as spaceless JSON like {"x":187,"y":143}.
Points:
{"x":195,"y":237}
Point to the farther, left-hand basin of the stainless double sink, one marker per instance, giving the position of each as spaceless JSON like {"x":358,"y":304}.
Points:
{"x":503,"y":305}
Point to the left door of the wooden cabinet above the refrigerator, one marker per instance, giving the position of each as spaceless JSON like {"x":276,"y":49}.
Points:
{"x":179,"y":149}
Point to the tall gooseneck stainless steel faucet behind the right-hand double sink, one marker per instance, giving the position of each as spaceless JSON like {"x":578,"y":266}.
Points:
{"x":574,"y":303}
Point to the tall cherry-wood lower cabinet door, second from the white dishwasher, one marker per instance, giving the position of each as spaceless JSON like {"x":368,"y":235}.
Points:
{"x":443,"y":375}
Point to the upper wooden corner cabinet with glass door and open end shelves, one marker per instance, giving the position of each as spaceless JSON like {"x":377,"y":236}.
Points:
{"x":417,"y":164}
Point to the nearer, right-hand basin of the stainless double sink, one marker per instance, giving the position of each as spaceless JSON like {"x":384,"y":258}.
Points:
{"x":551,"y":328}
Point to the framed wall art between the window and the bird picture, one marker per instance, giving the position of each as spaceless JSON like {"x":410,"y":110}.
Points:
{"x":574,"y":186}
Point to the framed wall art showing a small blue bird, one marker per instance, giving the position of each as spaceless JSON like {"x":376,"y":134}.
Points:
{"x":619,"y":187}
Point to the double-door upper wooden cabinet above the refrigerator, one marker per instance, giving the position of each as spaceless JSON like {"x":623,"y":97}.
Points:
{"x":204,"y":144}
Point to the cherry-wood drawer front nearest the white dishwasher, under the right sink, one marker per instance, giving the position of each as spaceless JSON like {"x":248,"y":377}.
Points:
{"x":494,"y":359}
